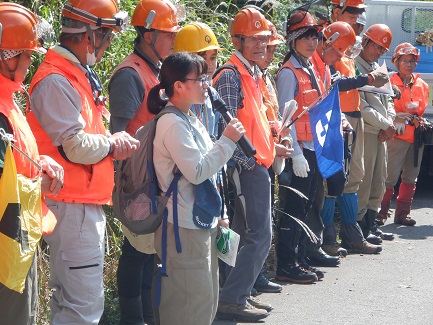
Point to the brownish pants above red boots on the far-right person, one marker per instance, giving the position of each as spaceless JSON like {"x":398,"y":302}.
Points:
{"x":401,"y":158}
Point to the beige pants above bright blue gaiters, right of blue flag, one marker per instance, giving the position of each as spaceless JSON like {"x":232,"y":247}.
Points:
{"x":356,"y":173}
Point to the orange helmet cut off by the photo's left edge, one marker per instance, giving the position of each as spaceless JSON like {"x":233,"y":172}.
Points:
{"x":19,"y":28}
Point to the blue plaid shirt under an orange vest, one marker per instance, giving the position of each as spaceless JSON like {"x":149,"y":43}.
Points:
{"x":228,"y":86}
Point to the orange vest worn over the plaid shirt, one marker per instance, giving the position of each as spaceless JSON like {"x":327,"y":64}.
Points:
{"x":253,"y":114}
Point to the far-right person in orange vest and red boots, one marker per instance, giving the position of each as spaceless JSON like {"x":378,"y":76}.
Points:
{"x":409,"y":107}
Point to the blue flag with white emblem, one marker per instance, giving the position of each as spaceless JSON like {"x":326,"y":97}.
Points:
{"x":325,"y":121}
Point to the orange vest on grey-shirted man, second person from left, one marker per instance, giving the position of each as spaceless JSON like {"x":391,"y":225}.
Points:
{"x":83,"y":183}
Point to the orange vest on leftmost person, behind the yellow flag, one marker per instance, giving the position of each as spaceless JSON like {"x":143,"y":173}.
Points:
{"x":25,"y":141}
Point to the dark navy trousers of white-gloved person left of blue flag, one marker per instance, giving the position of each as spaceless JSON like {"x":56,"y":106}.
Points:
{"x":291,"y":247}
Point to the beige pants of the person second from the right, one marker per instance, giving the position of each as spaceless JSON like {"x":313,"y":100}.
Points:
{"x":371,"y":190}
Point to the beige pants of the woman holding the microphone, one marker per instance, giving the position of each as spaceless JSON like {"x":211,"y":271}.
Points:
{"x":189,"y":295}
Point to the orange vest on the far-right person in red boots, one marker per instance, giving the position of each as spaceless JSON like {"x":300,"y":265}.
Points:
{"x":417,"y":93}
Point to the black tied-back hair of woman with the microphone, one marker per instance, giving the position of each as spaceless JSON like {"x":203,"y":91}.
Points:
{"x":176,"y":67}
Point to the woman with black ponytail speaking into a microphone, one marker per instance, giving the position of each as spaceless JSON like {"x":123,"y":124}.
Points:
{"x":189,"y":294}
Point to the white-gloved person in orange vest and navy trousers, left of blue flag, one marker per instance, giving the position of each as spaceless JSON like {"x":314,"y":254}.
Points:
{"x":298,"y":80}
